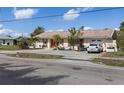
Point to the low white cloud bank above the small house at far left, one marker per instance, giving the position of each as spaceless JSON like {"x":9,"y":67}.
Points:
{"x":5,"y":32}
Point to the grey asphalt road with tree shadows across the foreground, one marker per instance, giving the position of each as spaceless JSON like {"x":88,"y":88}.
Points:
{"x":19,"y":71}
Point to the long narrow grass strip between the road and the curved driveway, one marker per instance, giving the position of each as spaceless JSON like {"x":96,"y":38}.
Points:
{"x":39,"y":56}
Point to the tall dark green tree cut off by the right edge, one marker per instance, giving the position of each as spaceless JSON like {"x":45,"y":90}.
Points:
{"x":120,"y":37}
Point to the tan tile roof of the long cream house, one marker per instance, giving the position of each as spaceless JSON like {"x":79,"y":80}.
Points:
{"x":103,"y":33}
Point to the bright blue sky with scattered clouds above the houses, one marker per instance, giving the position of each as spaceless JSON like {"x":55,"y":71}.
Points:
{"x":92,"y":20}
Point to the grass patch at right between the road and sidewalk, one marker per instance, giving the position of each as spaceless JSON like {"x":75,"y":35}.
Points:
{"x":109,"y":62}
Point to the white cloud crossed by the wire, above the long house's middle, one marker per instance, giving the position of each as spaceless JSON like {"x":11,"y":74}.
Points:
{"x":75,"y":13}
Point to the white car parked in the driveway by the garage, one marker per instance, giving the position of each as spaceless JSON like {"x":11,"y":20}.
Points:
{"x":95,"y":47}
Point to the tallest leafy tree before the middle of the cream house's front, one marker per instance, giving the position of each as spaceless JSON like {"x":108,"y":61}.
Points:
{"x":74,"y":37}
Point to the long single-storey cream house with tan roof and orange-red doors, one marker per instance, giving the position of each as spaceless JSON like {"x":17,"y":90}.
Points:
{"x":107,"y":37}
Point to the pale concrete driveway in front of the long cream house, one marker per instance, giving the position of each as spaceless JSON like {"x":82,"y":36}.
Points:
{"x":69,"y":54}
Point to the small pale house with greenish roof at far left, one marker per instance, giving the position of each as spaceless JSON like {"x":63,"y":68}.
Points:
{"x":6,"y":40}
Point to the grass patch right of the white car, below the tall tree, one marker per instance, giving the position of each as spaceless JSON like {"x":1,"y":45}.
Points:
{"x":113,"y":54}
